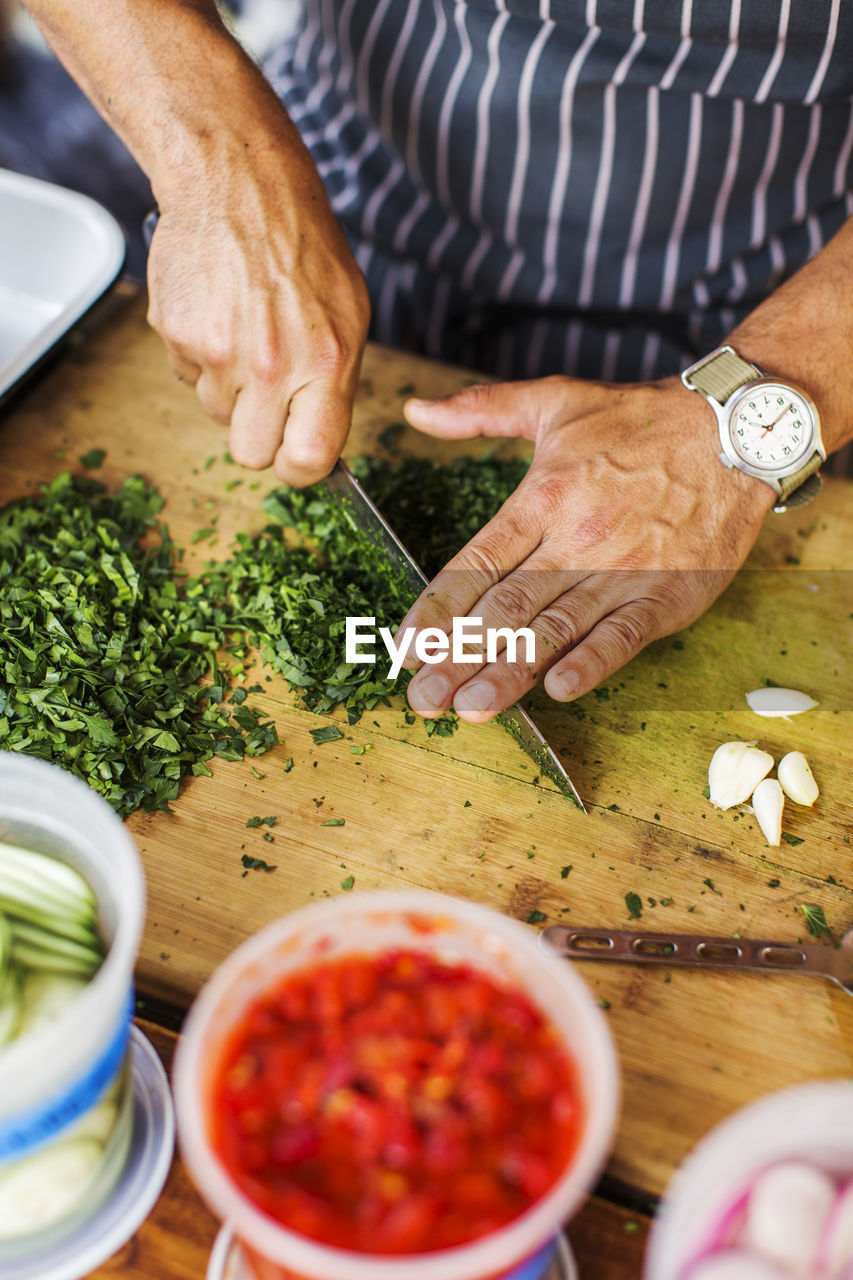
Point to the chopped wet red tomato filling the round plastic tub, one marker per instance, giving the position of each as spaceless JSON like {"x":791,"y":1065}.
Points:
{"x":395,"y":1104}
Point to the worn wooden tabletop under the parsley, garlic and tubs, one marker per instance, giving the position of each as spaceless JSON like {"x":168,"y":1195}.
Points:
{"x":469,"y":816}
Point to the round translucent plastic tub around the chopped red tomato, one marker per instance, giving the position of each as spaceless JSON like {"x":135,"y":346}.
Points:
{"x":459,"y":931}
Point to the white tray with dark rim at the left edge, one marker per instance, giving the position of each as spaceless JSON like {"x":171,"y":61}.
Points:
{"x":60,"y":253}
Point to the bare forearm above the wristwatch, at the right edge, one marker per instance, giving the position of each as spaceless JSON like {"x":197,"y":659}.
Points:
{"x":805,"y":335}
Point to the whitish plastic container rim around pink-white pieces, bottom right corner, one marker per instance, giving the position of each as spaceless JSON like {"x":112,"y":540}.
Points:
{"x":810,"y":1122}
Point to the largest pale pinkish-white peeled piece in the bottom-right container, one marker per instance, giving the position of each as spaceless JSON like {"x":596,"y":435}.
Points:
{"x":788,"y":1208}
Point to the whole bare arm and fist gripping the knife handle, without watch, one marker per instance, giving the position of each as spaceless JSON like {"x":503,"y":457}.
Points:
{"x":253,"y":285}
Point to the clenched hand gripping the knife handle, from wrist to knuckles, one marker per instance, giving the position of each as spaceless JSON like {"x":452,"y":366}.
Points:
{"x":262,"y":305}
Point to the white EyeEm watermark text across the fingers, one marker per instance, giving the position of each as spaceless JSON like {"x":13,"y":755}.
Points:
{"x":467,"y":643}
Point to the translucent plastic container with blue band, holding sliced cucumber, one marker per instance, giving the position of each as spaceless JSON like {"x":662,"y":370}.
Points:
{"x":71,"y":1082}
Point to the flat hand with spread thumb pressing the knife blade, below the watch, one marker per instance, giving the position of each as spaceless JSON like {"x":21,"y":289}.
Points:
{"x":626,"y":529}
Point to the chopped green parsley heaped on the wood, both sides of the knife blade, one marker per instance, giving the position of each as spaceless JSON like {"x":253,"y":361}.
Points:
{"x":110,"y":662}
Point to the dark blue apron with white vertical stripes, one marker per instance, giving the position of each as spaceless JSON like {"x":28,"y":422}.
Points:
{"x":595,"y":188}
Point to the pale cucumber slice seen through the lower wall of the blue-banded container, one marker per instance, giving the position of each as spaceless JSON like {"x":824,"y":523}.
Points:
{"x":45,"y":1187}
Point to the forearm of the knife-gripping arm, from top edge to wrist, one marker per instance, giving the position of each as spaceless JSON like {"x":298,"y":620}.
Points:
{"x":174,"y":84}
